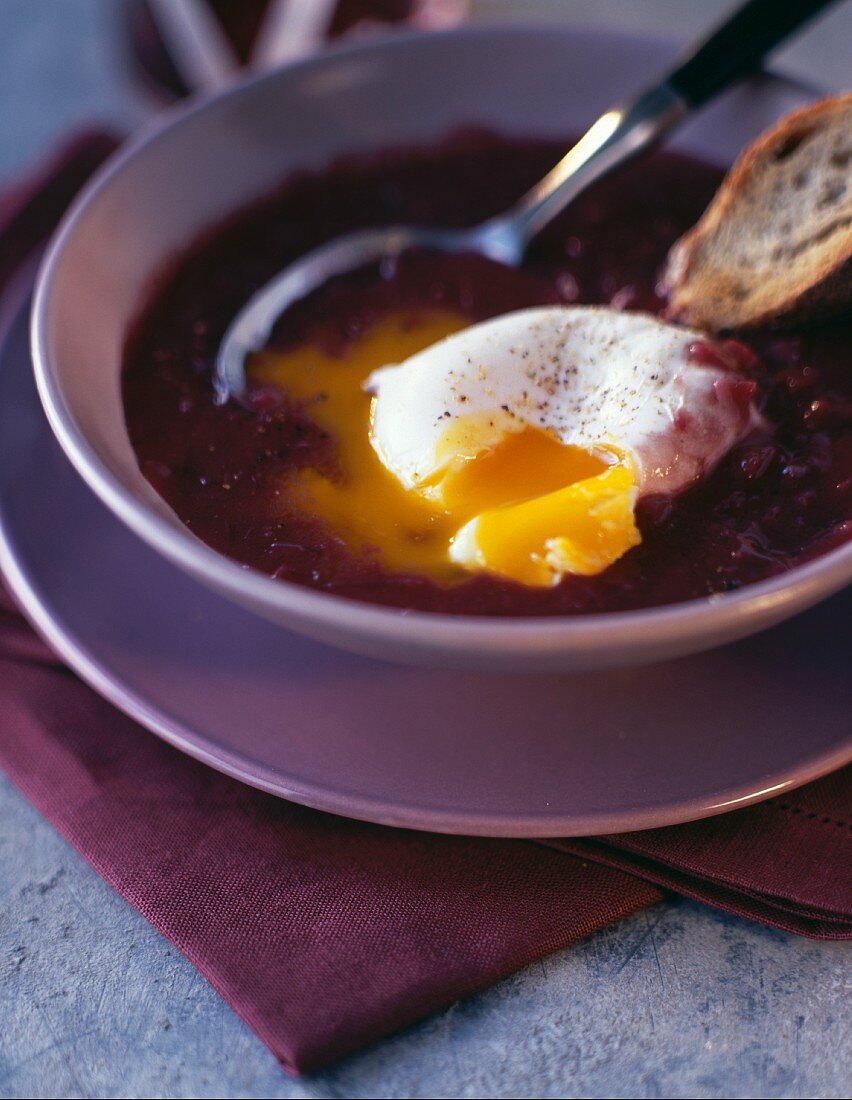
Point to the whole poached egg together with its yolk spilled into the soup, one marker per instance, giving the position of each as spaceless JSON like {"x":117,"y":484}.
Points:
{"x":517,"y":447}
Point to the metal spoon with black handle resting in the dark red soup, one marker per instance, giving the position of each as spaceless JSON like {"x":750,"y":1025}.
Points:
{"x":732,"y":52}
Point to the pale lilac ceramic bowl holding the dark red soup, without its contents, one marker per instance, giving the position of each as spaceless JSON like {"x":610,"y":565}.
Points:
{"x":214,"y":157}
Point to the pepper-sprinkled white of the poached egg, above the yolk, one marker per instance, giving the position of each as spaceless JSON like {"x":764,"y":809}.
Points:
{"x":596,"y":378}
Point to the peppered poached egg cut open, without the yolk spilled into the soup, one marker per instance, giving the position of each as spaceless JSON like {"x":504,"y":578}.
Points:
{"x":549,"y":425}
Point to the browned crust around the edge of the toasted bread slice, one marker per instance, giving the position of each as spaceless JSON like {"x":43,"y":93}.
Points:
{"x":705,"y":295}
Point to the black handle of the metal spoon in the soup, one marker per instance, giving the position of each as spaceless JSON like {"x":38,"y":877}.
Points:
{"x":739,"y":46}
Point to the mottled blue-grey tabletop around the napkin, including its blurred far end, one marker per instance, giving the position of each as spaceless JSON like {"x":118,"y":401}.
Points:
{"x":678,"y":1002}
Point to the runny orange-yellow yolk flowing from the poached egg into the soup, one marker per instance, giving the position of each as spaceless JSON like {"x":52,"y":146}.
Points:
{"x":530,"y":509}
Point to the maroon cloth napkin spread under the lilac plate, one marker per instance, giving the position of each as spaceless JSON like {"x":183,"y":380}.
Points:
{"x":323,"y":933}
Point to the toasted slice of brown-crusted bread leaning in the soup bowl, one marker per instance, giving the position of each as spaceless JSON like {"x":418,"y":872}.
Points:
{"x":776,"y":245}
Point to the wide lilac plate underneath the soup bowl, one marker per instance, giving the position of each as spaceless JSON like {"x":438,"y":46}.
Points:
{"x":444,"y":751}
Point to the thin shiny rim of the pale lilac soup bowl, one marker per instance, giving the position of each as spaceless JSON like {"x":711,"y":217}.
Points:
{"x":803,"y":585}
